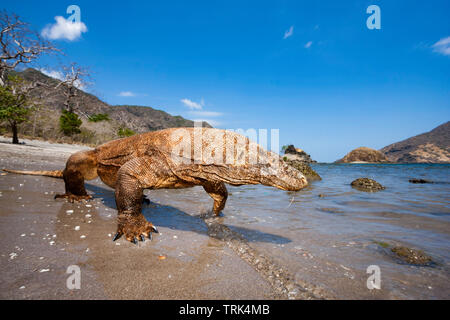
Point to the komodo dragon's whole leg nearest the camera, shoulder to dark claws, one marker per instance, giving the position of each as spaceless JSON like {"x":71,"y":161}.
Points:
{"x":132,"y":178}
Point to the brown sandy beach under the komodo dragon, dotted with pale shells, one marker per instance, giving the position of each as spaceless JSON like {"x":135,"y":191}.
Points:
{"x":195,"y":256}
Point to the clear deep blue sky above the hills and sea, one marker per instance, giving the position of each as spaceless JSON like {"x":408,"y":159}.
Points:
{"x":309,"y":68}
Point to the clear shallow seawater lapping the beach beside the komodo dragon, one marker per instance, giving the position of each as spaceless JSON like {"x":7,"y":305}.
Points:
{"x":331,"y":240}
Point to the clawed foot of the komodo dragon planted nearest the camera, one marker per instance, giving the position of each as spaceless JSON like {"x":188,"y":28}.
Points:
{"x":134,"y":227}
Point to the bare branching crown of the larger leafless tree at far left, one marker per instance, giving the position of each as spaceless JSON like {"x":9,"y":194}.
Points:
{"x":19,"y":44}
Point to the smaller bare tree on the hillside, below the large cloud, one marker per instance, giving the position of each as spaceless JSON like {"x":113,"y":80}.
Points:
{"x":73,"y":77}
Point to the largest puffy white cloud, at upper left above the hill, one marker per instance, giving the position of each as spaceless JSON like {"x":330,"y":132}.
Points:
{"x":64,"y":29}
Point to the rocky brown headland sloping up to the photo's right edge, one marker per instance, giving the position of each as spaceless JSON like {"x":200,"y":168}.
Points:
{"x":429,"y":147}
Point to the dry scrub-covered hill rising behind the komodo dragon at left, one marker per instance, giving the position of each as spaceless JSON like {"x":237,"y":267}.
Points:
{"x":45,"y":122}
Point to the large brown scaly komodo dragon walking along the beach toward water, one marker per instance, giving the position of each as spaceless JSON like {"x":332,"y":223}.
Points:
{"x":172,"y":158}
